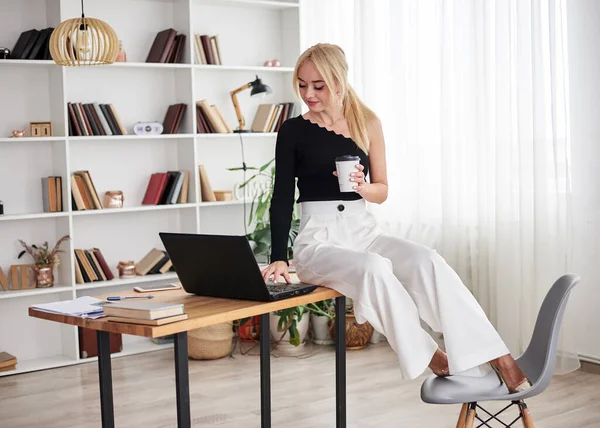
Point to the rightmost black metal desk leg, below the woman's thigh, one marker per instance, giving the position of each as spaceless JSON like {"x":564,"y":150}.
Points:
{"x":340,"y":362}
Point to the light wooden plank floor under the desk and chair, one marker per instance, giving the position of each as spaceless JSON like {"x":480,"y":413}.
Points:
{"x":225,"y":393}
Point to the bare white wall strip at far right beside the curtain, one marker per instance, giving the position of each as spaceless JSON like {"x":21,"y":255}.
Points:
{"x":584,"y":61}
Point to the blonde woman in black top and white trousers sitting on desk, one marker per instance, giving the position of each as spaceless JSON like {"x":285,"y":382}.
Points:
{"x":393,"y":282}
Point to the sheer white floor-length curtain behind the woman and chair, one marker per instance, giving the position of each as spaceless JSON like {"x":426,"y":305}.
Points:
{"x":473,"y":96}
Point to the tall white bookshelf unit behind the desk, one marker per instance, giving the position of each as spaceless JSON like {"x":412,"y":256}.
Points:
{"x":250,"y":32}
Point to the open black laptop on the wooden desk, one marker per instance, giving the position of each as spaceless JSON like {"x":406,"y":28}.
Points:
{"x":223,"y":266}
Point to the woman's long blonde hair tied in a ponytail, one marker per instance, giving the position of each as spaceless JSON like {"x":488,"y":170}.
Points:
{"x":330,"y":62}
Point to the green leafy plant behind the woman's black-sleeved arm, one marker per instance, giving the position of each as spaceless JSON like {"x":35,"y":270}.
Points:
{"x":259,"y":211}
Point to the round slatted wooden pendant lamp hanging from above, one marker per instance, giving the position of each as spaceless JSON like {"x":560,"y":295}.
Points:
{"x":84,"y":41}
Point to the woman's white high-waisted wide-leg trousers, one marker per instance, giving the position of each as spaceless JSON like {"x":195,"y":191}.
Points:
{"x":394,"y":283}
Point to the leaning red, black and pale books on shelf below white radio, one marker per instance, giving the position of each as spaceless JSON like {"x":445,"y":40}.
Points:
{"x":164,"y":188}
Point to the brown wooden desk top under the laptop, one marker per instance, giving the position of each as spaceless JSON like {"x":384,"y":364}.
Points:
{"x":202,"y":311}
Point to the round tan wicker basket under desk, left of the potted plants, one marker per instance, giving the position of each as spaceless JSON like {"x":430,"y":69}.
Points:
{"x":210,"y":343}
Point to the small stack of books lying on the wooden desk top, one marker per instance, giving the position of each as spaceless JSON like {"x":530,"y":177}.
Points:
{"x":142,"y":311}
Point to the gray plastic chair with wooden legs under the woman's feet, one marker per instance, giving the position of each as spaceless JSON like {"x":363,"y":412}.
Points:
{"x":537,"y":362}
